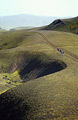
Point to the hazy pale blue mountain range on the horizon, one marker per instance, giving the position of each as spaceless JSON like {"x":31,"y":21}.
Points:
{"x":25,"y":20}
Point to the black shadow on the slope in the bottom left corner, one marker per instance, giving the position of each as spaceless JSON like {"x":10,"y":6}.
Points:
{"x":11,"y":107}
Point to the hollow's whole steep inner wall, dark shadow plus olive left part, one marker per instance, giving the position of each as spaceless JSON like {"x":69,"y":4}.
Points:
{"x":29,"y":65}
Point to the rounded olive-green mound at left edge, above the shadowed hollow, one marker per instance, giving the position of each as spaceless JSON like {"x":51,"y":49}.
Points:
{"x":10,"y":40}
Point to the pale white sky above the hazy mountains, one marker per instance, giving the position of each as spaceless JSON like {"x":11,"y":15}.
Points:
{"x":59,"y":8}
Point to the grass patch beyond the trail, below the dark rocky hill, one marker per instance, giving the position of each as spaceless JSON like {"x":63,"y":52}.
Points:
{"x":64,"y":40}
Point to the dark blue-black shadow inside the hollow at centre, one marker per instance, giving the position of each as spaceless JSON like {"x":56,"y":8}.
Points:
{"x":37,"y":68}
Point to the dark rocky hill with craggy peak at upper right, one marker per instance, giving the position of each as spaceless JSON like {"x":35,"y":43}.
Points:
{"x":66,"y":25}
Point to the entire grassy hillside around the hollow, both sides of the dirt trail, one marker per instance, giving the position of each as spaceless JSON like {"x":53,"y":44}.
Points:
{"x":43,"y":82}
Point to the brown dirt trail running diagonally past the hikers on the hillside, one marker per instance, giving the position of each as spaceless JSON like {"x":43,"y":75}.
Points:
{"x":73,"y":56}
